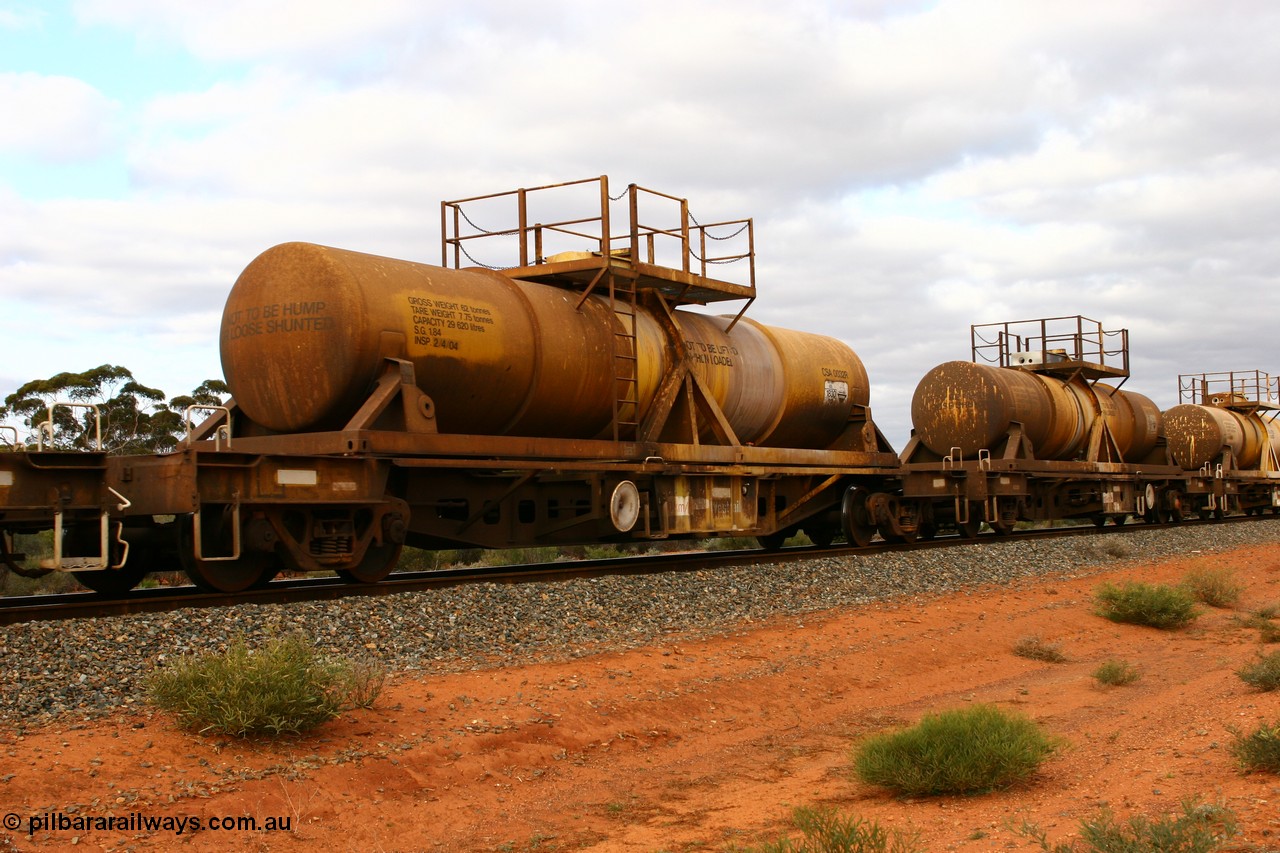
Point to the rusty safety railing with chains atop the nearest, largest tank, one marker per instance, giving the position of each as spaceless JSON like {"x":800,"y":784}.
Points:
{"x":479,"y":231}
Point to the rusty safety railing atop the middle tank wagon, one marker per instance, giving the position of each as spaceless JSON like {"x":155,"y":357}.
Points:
{"x":1050,"y":341}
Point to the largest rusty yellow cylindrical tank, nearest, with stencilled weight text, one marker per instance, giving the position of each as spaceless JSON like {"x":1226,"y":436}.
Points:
{"x":307,"y":331}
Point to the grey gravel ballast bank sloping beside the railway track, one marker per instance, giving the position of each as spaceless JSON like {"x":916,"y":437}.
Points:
{"x":88,"y":668}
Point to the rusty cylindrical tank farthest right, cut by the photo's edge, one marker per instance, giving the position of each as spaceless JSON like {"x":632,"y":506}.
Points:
{"x":1199,"y":435}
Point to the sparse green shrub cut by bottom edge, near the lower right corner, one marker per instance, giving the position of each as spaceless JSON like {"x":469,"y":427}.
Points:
{"x":1200,"y":829}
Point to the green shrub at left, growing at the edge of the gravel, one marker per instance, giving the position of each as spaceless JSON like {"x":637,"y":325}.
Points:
{"x":285,"y":687}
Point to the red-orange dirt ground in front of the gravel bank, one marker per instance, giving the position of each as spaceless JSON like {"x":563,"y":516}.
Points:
{"x":702,"y":743}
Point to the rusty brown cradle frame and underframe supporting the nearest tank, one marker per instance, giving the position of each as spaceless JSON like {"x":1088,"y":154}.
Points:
{"x":509,"y":491}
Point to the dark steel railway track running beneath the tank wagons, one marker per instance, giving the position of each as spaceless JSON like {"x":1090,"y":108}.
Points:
{"x":26,"y":609}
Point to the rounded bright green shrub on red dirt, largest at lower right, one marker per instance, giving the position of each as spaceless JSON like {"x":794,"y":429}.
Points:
{"x":957,"y":752}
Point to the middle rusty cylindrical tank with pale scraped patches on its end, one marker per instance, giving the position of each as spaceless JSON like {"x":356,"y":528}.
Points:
{"x":971,"y":407}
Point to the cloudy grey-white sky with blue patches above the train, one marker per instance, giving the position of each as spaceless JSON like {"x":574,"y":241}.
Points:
{"x":912,"y":168}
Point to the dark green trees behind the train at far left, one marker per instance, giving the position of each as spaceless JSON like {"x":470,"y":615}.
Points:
{"x":135,"y":419}
